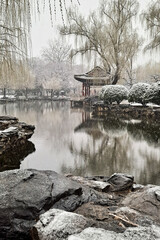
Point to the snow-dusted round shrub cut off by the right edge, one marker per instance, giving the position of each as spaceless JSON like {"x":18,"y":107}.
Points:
{"x":152,"y":94}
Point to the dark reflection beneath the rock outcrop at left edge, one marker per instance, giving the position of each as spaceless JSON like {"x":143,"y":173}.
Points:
{"x":13,"y":158}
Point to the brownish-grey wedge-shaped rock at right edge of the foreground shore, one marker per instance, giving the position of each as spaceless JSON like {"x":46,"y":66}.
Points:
{"x":145,"y":201}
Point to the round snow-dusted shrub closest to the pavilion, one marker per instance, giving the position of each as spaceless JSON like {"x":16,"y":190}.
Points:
{"x":115,"y":93}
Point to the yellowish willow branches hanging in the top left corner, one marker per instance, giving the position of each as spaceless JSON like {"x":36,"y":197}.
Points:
{"x":15,"y":23}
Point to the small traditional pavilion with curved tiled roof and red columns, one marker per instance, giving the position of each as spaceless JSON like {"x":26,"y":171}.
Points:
{"x":95,"y":77}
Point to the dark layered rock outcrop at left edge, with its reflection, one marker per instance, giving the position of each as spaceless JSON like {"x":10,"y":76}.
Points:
{"x":14,"y":144}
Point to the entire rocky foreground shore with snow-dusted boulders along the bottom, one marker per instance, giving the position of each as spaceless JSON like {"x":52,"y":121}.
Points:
{"x":44,"y":205}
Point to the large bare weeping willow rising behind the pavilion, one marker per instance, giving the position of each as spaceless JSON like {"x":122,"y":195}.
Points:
{"x":108,"y":32}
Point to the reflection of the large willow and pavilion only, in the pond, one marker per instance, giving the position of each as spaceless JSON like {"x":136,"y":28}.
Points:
{"x":101,"y":154}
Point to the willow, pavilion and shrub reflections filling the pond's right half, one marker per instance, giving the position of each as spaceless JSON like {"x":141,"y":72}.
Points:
{"x":114,"y":150}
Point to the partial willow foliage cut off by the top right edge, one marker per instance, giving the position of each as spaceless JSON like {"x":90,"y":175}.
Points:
{"x":151,"y":18}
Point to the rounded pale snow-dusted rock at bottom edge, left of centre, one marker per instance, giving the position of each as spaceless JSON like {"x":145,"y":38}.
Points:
{"x":58,"y":225}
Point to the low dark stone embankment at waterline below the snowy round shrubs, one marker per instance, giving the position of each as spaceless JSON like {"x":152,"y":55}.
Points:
{"x":126,"y":110}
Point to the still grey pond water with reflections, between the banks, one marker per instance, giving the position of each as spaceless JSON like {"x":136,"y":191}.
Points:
{"x":70,"y":141}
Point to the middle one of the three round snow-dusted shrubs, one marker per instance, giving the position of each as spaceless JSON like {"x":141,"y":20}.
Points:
{"x":137,"y":92}
